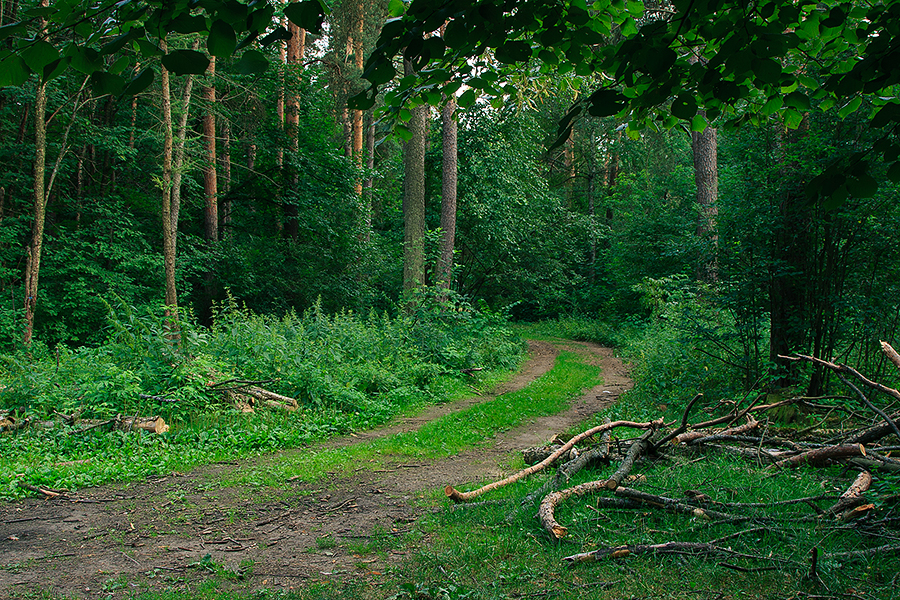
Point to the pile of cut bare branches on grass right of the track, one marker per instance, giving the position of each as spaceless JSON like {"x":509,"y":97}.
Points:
{"x":862,"y":451}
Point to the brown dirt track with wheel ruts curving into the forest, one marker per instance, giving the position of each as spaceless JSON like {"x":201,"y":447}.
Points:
{"x":113,"y":541}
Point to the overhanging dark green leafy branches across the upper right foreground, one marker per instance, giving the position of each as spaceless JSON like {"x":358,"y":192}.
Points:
{"x":689,"y":61}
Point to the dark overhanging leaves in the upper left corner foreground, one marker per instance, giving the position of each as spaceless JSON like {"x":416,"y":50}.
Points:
{"x":116,"y":42}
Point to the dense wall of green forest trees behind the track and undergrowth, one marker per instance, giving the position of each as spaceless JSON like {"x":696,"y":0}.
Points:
{"x":577,"y":184}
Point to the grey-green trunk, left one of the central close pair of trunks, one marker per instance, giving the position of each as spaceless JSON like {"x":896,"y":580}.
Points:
{"x":414,"y":199}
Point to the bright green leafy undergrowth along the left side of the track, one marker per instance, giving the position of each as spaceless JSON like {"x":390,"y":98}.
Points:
{"x":347,"y":371}
